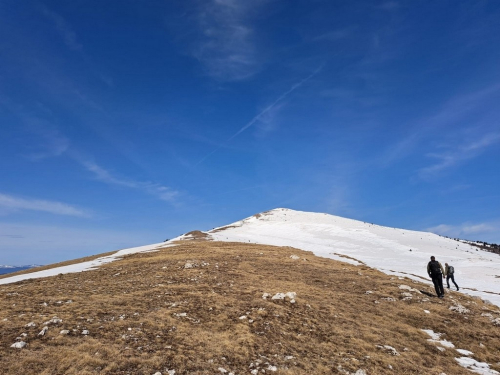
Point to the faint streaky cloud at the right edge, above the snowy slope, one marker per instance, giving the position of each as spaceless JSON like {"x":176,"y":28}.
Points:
{"x":458,"y":154}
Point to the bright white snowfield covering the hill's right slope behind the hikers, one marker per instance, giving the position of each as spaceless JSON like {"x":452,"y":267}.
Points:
{"x":391,"y":250}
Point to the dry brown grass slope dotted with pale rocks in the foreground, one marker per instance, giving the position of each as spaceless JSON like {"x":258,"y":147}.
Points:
{"x":148,"y":313}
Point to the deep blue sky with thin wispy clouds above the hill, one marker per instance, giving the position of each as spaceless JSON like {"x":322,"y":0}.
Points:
{"x":125,"y":123}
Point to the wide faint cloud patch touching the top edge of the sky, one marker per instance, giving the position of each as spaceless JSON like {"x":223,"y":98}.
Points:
{"x":227,"y":47}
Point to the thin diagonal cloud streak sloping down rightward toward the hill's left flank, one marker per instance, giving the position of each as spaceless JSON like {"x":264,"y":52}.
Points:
{"x":164,"y":193}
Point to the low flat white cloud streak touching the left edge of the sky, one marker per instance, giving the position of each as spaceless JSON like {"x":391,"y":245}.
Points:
{"x":15,"y":203}
